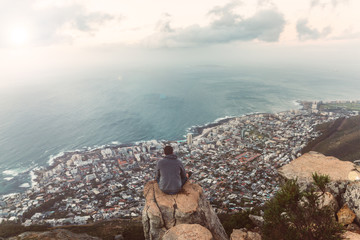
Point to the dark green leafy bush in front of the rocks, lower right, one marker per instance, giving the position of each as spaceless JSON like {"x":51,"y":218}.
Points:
{"x":295,"y":214}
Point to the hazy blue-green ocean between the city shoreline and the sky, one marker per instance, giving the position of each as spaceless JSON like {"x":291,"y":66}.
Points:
{"x":39,"y":121}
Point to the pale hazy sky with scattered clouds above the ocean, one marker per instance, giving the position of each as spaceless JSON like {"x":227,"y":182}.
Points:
{"x":62,"y":38}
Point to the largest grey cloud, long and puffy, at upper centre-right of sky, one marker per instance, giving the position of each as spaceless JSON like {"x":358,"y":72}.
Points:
{"x":228,"y":26}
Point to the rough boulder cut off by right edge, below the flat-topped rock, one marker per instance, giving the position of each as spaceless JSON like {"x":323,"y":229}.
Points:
{"x":352,"y":198}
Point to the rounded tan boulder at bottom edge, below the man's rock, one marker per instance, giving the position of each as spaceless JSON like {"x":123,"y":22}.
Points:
{"x":187,"y":232}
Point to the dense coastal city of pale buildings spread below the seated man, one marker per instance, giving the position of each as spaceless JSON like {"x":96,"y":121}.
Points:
{"x":235,"y":162}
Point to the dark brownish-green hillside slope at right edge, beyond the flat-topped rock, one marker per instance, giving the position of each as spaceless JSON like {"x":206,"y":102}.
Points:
{"x":340,"y":138}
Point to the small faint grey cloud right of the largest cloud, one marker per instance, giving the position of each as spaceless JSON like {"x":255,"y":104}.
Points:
{"x":307,"y":33}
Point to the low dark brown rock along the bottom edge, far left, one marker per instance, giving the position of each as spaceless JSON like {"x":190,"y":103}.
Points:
{"x":58,"y":234}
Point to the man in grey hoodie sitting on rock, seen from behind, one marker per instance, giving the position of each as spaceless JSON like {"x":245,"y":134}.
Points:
{"x":170,"y":172}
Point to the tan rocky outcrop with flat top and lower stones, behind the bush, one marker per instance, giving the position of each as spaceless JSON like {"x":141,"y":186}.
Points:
{"x":344,"y":176}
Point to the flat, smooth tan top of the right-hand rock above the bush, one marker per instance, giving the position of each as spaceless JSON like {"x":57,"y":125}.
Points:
{"x":304,"y":166}
